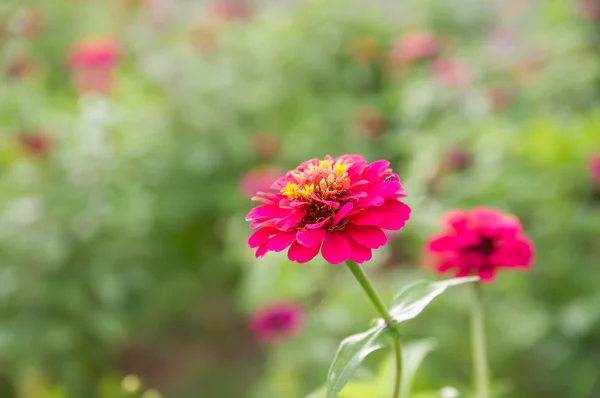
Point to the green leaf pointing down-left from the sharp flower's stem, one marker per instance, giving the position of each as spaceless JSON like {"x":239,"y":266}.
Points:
{"x":352,"y":351}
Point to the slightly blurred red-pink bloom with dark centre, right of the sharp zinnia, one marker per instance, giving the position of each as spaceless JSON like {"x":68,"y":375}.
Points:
{"x":478,"y":242}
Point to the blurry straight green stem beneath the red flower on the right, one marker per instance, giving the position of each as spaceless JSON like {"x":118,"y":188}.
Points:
{"x":481,"y":372}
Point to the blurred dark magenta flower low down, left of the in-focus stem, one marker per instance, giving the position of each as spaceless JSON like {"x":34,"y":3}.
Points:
{"x":277,"y":322}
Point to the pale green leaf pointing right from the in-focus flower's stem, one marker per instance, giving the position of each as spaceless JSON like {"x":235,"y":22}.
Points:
{"x":411,"y":301}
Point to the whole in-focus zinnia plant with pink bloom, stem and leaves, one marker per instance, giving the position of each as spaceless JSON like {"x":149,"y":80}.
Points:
{"x":340,"y":207}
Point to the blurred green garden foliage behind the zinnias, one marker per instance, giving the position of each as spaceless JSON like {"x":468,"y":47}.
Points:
{"x":122,"y":234}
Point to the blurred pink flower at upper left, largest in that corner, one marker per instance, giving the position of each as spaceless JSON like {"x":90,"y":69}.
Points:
{"x":93,"y":64}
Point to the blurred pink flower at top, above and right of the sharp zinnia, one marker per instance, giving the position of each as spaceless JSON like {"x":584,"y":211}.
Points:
{"x":415,"y":46}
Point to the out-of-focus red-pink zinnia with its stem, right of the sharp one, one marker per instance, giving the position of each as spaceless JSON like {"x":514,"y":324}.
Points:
{"x":479,"y":242}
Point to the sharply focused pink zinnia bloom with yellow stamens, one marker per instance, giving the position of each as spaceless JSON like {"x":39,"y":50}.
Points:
{"x":338,"y":206}
